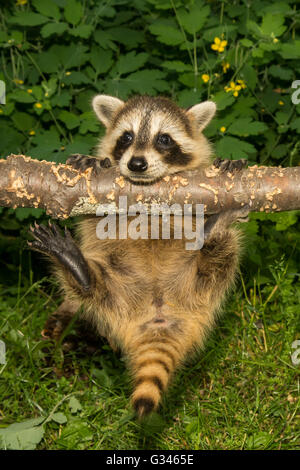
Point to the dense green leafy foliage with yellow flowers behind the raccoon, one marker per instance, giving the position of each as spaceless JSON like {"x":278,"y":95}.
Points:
{"x":57,"y":54}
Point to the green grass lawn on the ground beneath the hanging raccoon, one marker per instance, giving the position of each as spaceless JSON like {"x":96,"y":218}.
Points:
{"x":241,"y":392}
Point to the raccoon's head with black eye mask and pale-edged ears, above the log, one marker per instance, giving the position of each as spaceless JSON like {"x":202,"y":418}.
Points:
{"x":150,"y":138}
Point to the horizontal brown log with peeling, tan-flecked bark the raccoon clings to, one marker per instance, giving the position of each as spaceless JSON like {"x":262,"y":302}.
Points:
{"x":64,"y":192}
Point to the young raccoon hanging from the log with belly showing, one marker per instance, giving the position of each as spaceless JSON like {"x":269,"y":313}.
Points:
{"x":153,"y":299}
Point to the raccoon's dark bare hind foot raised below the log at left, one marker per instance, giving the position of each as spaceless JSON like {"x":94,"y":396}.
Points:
{"x":50,"y":241}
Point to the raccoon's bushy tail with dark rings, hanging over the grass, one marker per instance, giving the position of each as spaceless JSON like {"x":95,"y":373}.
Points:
{"x":153,"y":363}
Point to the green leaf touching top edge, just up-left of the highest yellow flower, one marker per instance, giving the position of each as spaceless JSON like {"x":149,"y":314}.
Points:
{"x":194,"y":19}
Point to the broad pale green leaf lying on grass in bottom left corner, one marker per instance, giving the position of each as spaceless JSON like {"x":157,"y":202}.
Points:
{"x":22,"y":436}
